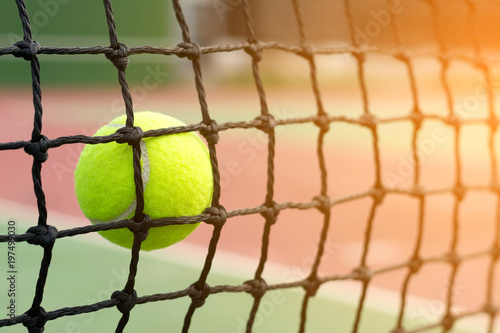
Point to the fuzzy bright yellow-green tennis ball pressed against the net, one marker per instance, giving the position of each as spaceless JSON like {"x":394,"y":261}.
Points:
{"x":176,"y":174}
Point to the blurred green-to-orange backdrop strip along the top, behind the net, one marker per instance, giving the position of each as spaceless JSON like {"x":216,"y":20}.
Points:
{"x":213,"y":22}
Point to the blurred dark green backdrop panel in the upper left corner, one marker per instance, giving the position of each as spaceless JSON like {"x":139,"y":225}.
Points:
{"x":70,"y":23}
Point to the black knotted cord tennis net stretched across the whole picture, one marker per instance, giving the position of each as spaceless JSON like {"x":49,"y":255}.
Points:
{"x":124,"y":300}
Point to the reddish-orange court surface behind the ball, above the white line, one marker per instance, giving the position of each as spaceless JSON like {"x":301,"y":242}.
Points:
{"x":242,"y":158}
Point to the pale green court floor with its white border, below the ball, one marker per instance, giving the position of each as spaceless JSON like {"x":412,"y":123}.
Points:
{"x":87,"y":269}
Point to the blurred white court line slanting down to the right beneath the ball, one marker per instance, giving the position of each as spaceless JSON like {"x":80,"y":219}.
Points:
{"x":239,"y":266}
